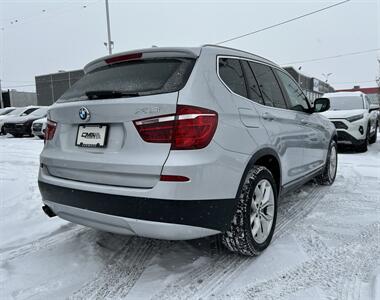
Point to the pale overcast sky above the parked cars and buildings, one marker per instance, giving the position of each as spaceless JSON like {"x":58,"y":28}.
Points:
{"x":66,"y":35}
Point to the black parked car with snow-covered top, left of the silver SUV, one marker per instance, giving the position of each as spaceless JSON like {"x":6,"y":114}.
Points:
{"x":22,"y":125}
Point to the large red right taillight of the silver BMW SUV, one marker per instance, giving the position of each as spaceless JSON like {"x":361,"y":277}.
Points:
{"x":190,"y":128}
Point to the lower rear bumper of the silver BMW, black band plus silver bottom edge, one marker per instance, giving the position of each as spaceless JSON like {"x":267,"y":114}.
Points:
{"x":149,"y":217}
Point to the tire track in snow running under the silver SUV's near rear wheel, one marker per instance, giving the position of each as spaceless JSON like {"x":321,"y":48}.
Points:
{"x":204,"y":280}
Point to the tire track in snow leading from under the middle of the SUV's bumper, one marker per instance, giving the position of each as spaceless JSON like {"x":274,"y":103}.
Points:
{"x":122,"y":270}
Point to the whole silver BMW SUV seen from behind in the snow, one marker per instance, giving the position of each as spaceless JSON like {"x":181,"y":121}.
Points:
{"x":183,"y":143}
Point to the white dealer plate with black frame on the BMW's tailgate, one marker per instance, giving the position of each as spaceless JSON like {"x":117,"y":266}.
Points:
{"x":92,"y":136}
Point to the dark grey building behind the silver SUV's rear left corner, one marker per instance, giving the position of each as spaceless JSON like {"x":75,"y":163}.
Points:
{"x":51,"y":86}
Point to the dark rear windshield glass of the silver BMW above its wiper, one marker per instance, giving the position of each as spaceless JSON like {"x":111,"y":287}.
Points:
{"x":142,"y":77}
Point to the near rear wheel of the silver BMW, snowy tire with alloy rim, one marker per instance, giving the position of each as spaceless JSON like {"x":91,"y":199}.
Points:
{"x":252,"y":216}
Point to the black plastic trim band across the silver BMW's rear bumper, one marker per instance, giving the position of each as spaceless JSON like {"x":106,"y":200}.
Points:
{"x":212,"y":214}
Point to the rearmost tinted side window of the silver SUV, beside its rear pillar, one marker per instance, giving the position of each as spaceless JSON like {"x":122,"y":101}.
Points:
{"x":231,"y":73}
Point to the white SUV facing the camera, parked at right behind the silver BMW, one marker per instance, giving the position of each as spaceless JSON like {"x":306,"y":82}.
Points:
{"x":354,"y":118}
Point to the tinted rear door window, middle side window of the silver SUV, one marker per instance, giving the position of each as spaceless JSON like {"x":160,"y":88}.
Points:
{"x":268,"y":85}
